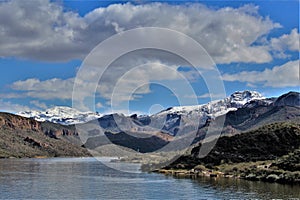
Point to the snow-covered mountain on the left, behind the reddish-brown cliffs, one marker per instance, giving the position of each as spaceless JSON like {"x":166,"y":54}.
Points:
{"x":61,"y":114}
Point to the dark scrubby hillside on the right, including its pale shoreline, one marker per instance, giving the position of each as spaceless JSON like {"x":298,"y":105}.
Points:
{"x":269,"y":153}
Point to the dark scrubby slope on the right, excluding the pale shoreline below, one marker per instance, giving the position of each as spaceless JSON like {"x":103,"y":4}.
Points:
{"x":265,"y":143}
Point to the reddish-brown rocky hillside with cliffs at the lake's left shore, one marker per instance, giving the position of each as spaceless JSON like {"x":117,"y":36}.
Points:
{"x":23,"y":137}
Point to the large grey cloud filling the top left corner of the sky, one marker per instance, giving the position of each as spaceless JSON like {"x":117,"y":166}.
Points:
{"x":40,"y":30}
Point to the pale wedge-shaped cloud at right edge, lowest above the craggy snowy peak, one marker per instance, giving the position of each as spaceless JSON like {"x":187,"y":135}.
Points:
{"x":286,"y":75}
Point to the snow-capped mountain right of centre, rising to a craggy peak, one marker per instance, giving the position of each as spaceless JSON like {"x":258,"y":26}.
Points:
{"x":190,"y":117}
